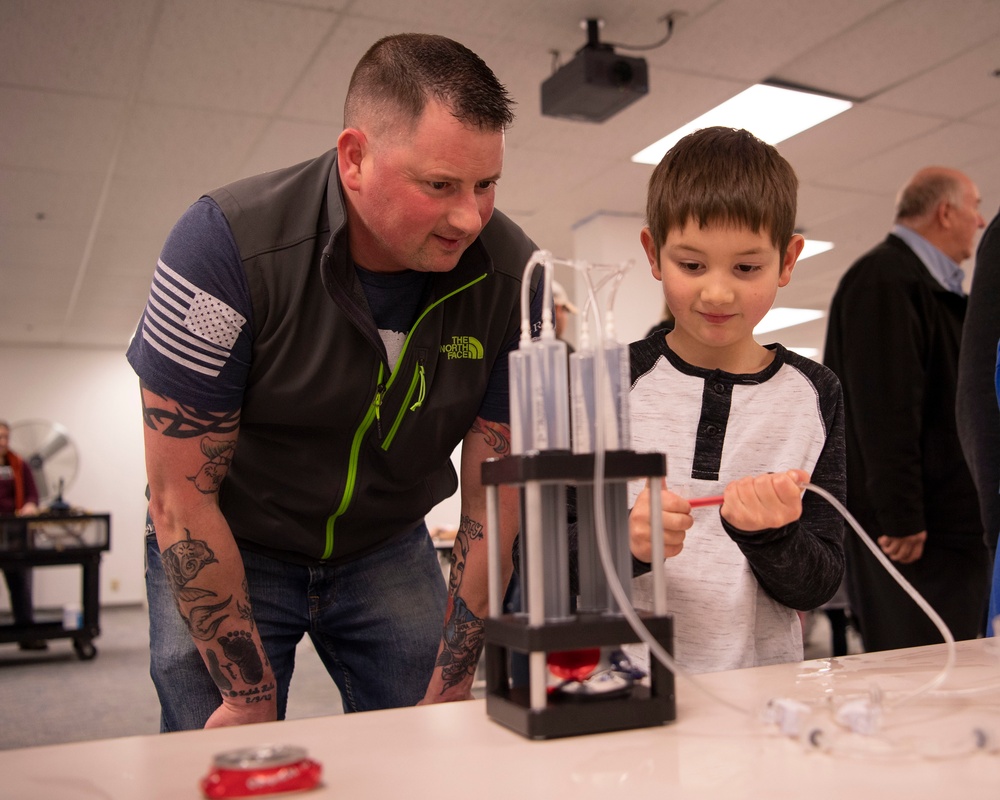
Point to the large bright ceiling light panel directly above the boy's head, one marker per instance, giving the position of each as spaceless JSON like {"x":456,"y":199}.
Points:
{"x":771,"y":113}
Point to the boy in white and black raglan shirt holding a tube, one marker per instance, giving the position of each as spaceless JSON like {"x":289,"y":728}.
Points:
{"x":734,"y":417}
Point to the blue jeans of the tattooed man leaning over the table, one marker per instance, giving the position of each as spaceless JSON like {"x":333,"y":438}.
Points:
{"x":375,"y":622}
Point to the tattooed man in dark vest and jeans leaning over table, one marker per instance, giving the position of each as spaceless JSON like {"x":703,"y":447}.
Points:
{"x":317,"y":342}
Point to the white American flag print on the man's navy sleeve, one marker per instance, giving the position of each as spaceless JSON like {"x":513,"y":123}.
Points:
{"x":188,"y":325}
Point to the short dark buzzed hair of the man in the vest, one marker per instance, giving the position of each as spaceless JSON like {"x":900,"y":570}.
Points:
{"x":398,"y":75}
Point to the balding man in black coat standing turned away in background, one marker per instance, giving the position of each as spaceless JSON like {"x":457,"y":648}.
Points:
{"x":893,"y":339}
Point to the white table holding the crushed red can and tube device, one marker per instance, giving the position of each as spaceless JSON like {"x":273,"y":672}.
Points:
{"x":456,"y":751}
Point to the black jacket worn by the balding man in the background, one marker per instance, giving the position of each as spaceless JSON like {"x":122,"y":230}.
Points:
{"x":893,"y":340}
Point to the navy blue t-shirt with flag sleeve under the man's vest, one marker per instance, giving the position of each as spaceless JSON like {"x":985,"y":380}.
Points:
{"x":194,"y":342}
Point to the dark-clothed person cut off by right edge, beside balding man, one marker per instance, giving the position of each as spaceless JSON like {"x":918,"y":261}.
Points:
{"x":976,"y":400}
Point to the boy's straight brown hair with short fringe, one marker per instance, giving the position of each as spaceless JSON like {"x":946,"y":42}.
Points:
{"x":723,"y":176}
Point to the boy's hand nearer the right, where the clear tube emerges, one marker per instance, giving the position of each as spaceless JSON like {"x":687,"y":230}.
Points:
{"x":761,"y":502}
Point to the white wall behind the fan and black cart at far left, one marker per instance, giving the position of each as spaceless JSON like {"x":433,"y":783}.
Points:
{"x":94,"y":394}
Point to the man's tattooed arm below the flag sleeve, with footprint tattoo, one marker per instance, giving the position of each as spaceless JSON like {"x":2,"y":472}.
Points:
{"x":188,"y":454}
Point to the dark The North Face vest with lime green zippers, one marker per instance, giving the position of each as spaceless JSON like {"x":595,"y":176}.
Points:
{"x":335,"y":454}
